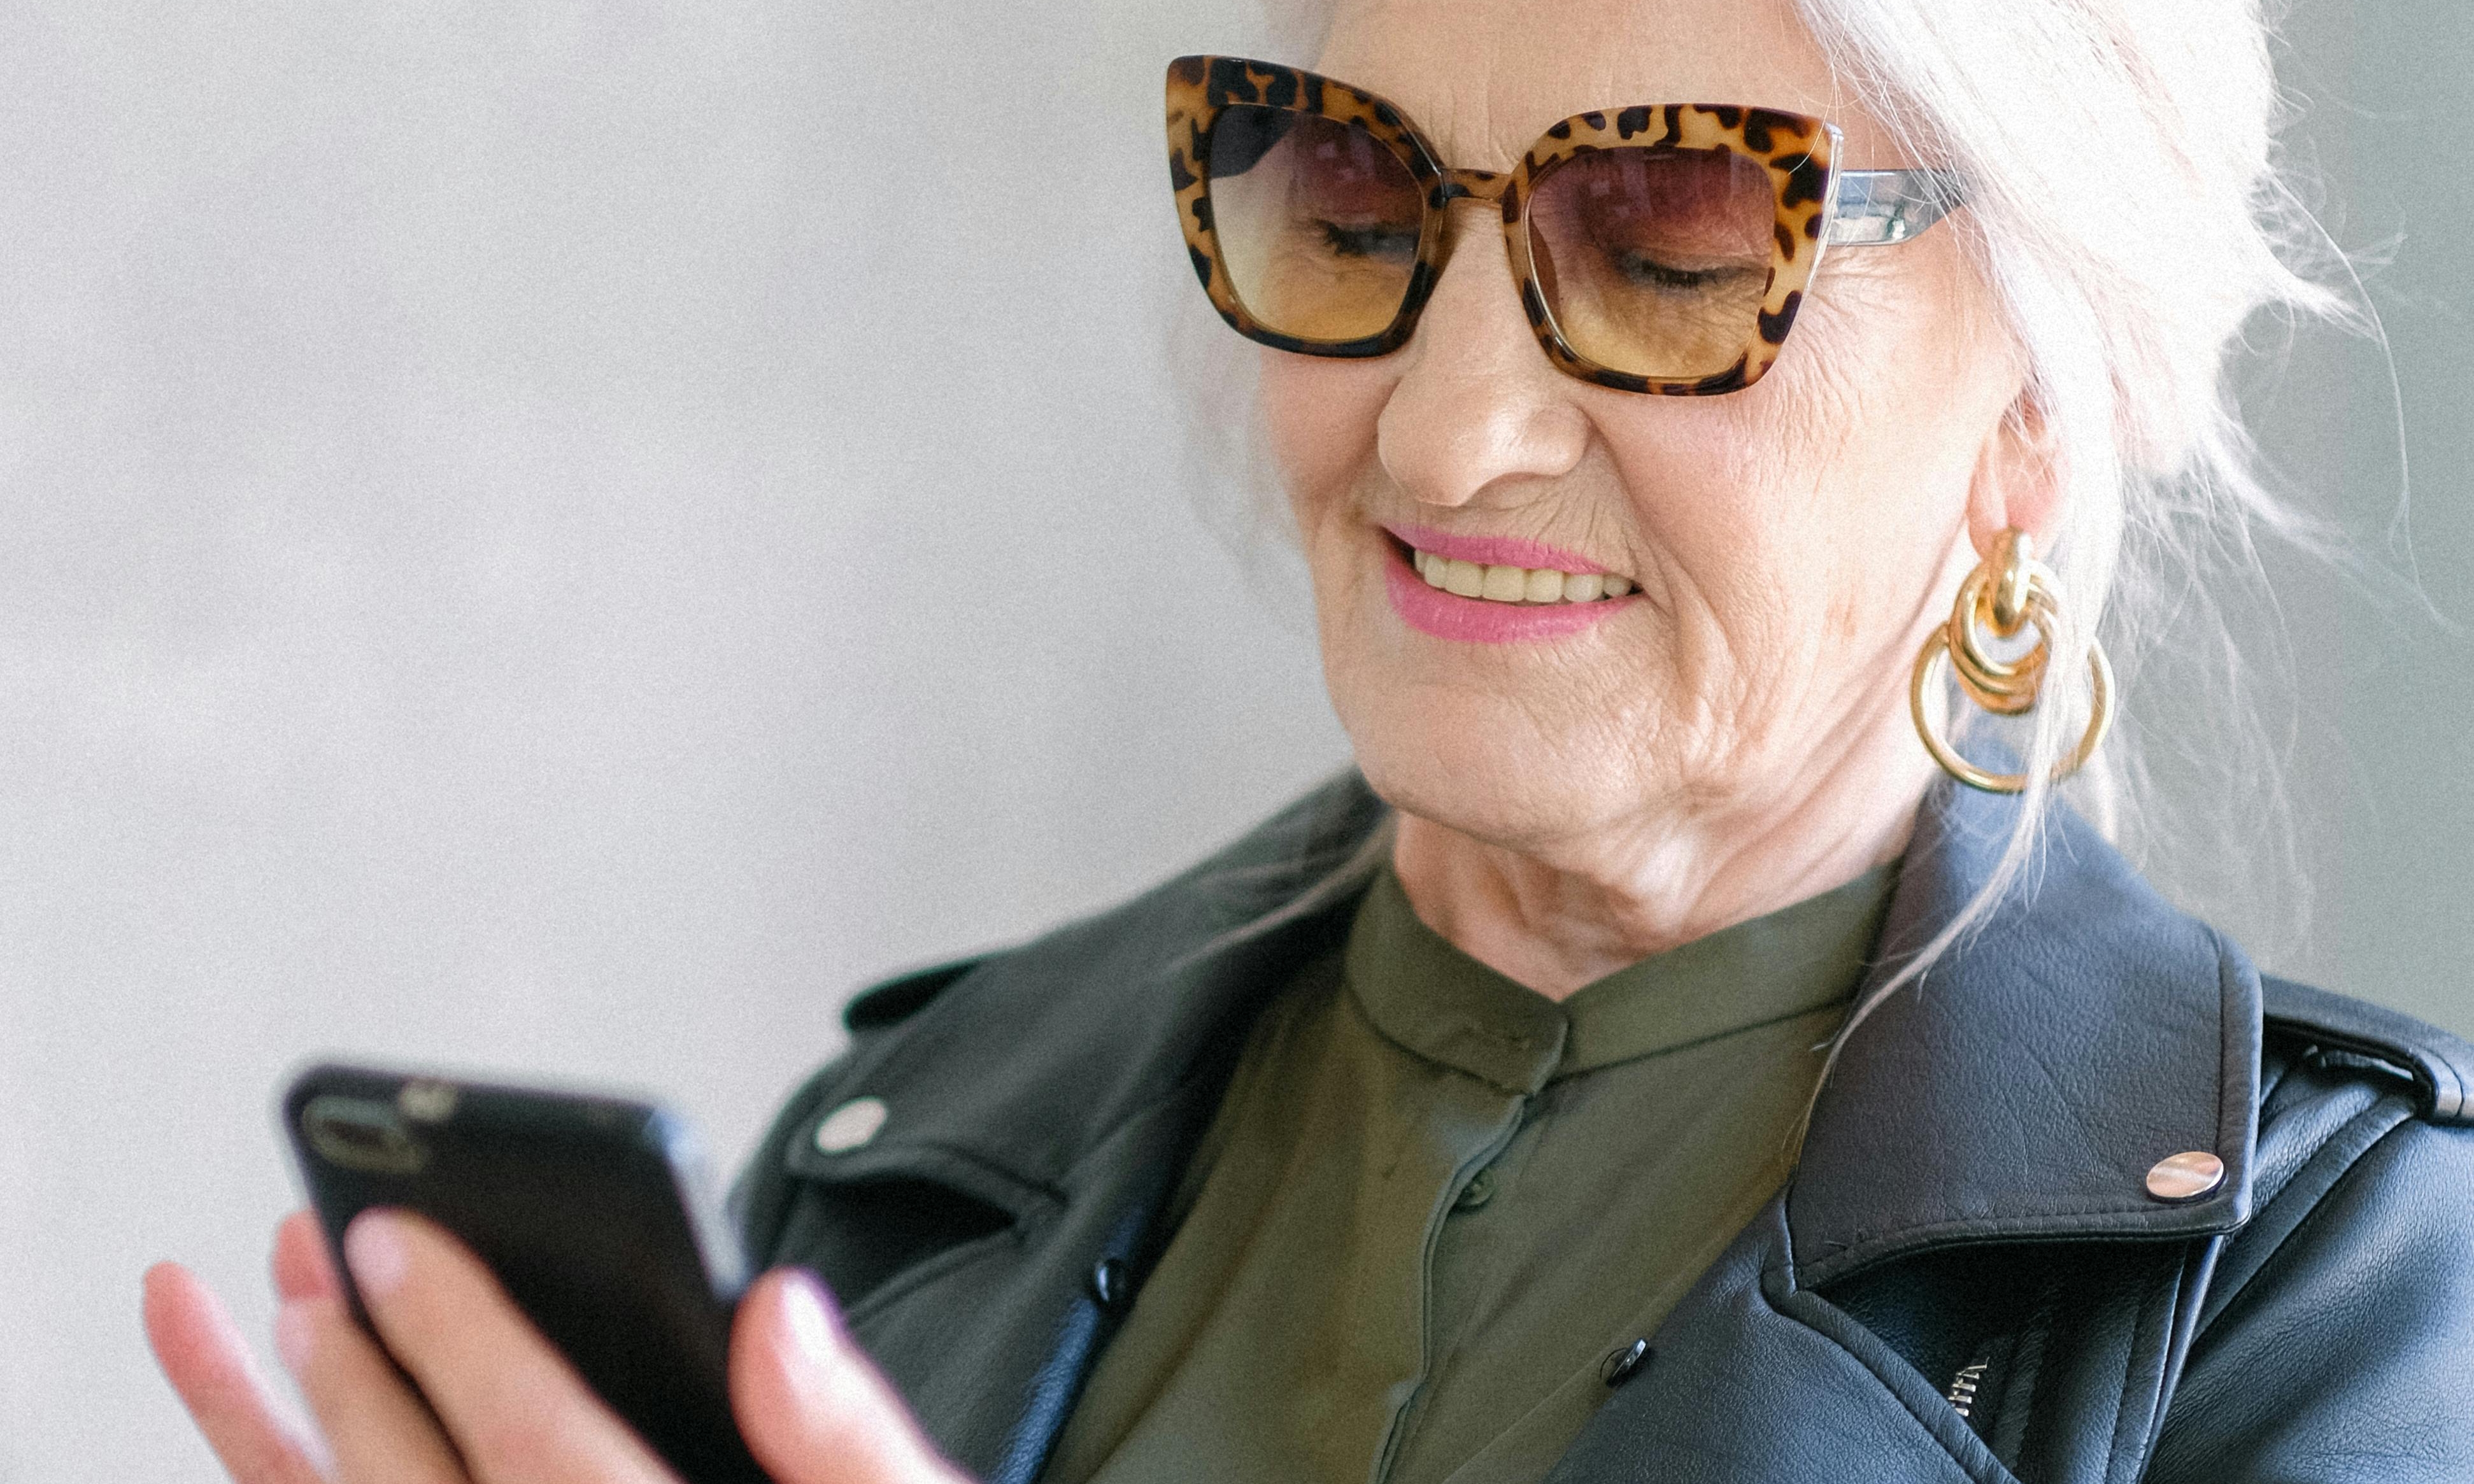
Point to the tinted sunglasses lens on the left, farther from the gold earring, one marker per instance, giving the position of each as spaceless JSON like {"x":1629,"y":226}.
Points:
{"x":1317,"y":221}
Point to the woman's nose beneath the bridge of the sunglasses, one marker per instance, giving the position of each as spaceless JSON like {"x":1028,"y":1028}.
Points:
{"x":1478,"y":404}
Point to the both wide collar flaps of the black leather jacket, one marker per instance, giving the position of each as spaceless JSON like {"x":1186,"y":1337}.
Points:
{"x":2022,"y":1090}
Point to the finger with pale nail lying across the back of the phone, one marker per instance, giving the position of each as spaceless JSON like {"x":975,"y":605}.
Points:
{"x":513,"y":1406}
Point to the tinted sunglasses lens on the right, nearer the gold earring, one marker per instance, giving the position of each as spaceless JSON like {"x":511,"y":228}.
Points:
{"x":1654,"y":261}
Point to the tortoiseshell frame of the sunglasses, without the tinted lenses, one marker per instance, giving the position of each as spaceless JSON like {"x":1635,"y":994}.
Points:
{"x":1817,"y":207}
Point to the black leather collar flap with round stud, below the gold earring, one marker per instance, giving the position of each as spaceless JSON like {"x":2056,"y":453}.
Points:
{"x":2040,"y":1070}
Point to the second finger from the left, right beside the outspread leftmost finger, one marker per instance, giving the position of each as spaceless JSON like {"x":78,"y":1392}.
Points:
{"x":377,"y":1428}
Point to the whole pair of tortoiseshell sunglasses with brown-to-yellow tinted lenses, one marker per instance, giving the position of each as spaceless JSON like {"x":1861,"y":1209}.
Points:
{"x":1661,"y":249}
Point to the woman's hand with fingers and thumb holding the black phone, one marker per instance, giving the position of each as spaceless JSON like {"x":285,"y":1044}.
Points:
{"x":508,"y":1409}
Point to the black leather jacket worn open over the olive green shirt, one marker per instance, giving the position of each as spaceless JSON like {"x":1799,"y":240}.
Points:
{"x":1966,"y":1277}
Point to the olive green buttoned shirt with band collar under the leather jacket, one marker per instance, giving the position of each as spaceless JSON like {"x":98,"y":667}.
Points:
{"x":1434,"y":1201}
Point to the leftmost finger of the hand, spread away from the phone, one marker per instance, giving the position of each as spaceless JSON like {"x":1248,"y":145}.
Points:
{"x":202,"y":1354}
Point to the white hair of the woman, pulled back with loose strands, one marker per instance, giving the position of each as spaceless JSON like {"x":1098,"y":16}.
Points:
{"x":2131,"y":211}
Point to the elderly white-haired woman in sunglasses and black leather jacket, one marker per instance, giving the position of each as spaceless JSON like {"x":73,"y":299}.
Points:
{"x":1646,"y":1065}
